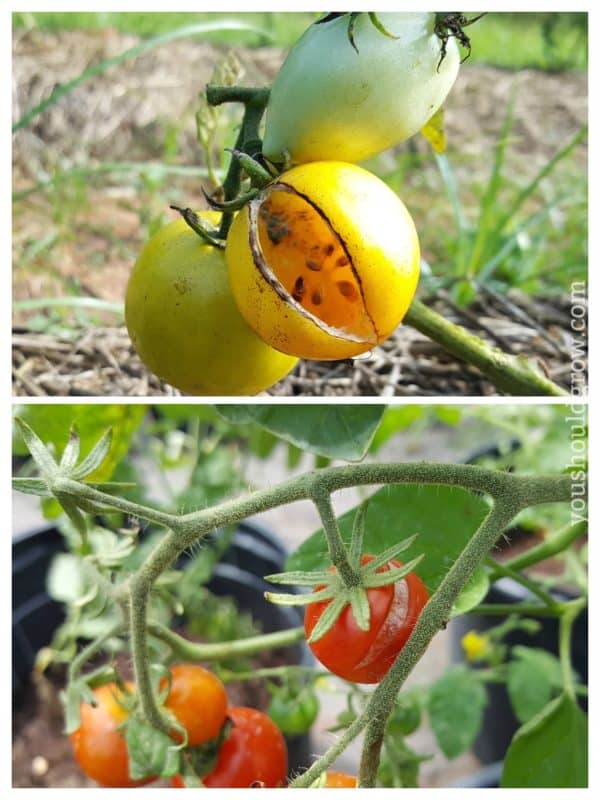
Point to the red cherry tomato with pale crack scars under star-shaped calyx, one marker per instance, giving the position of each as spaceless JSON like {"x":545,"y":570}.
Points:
{"x":366,"y":656}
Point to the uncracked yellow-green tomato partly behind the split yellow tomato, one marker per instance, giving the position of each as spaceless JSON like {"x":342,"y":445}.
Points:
{"x":185,"y":325}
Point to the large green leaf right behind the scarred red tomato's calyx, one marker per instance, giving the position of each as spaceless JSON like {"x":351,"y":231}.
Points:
{"x":444,"y":517}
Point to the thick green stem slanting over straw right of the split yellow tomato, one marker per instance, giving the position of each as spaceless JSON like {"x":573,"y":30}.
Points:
{"x":512,"y":374}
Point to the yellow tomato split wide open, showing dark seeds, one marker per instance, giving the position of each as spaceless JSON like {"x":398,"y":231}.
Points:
{"x":324,"y":262}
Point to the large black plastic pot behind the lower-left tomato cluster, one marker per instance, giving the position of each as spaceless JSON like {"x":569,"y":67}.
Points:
{"x":254,"y":552}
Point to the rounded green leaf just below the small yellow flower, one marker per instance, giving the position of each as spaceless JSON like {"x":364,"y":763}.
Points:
{"x":455,"y":704}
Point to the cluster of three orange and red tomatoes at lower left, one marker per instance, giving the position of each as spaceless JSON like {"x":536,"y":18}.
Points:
{"x":254,"y":750}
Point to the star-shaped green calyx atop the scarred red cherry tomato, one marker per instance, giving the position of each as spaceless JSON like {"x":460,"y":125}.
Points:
{"x":340,"y":591}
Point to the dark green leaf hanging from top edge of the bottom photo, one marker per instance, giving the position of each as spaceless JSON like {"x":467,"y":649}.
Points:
{"x":343,"y":432}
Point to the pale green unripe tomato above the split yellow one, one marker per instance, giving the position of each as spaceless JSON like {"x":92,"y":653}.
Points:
{"x":330,"y":102}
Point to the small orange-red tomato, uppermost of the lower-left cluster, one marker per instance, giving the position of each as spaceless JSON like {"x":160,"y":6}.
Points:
{"x":198,"y":700}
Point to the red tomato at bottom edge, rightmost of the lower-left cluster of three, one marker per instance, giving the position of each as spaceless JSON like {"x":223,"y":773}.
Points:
{"x":255,"y":752}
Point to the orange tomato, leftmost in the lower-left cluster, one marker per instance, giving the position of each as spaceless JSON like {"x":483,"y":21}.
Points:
{"x":101,"y":749}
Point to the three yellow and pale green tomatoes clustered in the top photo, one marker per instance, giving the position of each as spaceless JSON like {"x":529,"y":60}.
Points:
{"x":323,"y":262}
